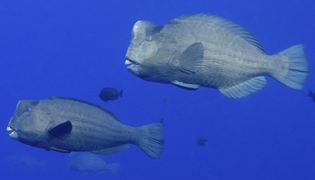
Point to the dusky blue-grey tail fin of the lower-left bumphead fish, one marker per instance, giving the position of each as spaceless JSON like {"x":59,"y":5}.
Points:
{"x":151,"y":140}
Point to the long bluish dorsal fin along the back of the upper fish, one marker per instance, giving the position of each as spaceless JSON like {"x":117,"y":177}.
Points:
{"x":224,"y":23}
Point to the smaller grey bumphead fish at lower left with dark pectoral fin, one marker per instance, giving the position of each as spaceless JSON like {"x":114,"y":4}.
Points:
{"x":66,"y":124}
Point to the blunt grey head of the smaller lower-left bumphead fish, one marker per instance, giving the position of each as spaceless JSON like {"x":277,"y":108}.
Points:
{"x":29,"y":123}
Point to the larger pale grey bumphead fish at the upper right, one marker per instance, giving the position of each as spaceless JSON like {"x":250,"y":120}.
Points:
{"x":207,"y":50}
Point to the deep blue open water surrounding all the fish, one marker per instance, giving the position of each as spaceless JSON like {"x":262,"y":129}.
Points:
{"x":75,"y":48}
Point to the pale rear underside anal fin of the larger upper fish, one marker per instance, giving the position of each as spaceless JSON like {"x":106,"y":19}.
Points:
{"x":245,"y":88}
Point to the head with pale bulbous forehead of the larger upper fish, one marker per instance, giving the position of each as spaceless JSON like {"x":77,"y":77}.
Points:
{"x":142,"y":51}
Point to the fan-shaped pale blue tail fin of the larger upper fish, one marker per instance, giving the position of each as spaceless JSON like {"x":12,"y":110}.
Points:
{"x":298,"y":69}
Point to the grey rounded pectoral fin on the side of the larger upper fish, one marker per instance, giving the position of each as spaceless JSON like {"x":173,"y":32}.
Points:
{"x":191,"y":59}
